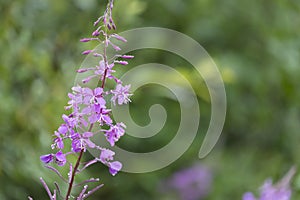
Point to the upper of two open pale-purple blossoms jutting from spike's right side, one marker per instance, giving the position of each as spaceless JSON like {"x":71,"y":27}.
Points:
{"x":121,"y":94}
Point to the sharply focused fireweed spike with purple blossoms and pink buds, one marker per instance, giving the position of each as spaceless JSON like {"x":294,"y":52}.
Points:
{"x":87,"y":109}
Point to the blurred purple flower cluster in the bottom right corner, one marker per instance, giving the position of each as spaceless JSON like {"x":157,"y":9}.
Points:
{"x":280,"y":191}
